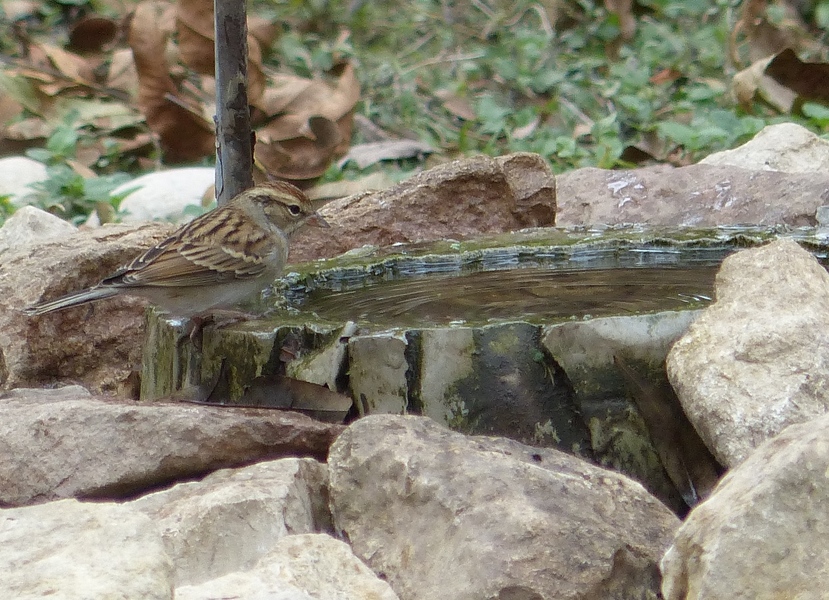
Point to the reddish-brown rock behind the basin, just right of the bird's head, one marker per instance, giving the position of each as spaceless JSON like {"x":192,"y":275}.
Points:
{"x":456,"y":200}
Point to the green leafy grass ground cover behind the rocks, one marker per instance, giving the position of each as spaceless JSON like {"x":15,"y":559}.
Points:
{"x":493,"y":77}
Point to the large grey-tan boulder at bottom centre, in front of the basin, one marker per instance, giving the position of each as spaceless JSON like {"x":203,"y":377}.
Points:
{"x":442,"y":515}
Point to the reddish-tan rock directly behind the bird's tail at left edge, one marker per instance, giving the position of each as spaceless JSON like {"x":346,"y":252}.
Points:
{"x":97,"y":345}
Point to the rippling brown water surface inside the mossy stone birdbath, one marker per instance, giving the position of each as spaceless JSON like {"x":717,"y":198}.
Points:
{"x":534,"y":293}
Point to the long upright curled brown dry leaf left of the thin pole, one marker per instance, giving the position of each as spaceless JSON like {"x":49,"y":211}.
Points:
{"x":183,"y":135}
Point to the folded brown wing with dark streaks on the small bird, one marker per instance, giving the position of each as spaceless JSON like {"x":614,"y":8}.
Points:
{"x":193,"y":258}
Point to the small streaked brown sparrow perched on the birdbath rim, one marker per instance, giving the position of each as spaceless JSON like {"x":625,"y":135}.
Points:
{"x":214,"y":261}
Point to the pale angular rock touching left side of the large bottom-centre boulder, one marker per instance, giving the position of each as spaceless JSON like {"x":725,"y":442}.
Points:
{"x":227,"y":521}
